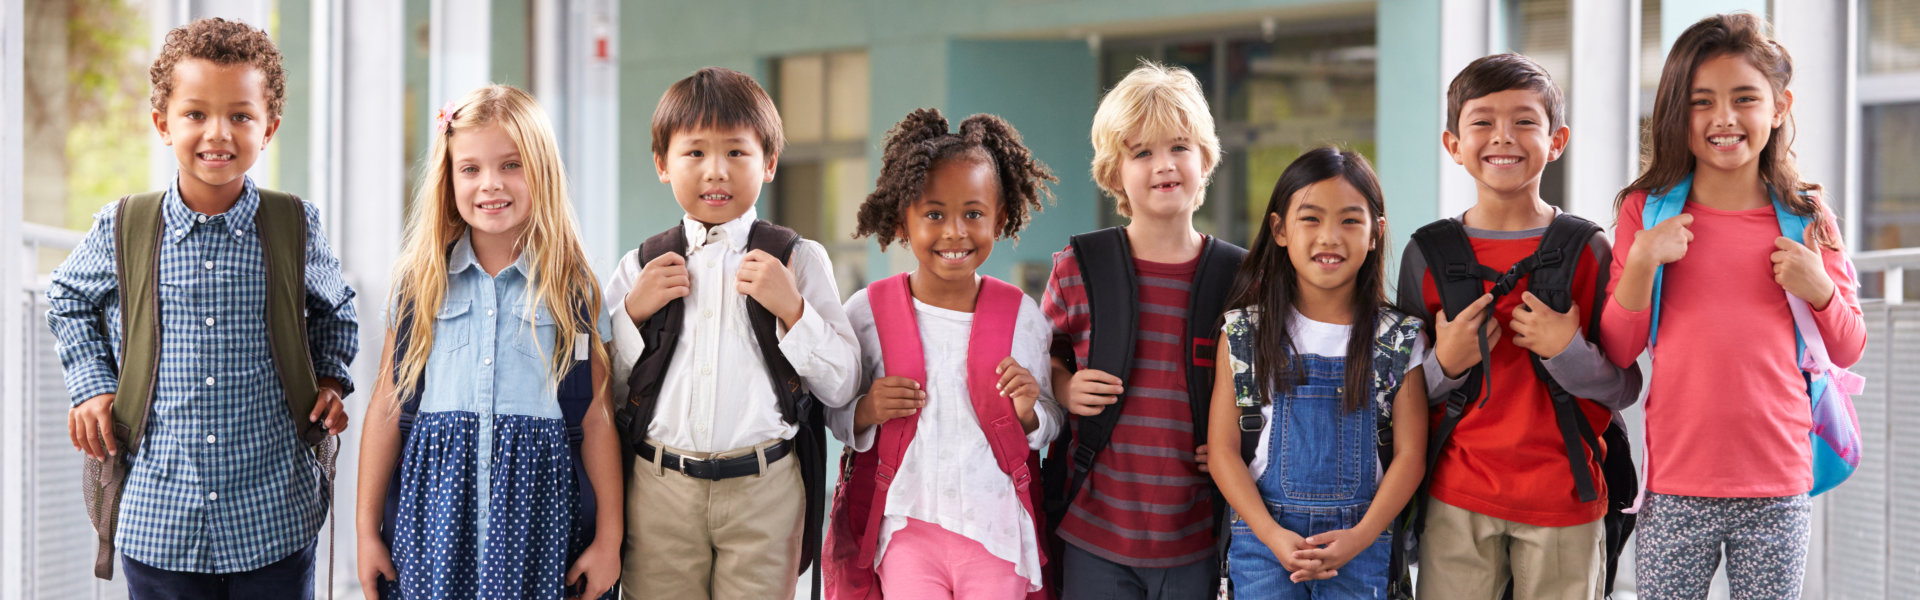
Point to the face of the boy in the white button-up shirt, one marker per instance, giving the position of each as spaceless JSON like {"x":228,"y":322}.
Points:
{"x":717,"y":174}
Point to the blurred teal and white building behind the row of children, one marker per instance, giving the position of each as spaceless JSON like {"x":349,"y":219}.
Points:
{"x":1284,"y":76}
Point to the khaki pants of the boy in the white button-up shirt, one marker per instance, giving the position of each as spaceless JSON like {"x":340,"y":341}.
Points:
{"x":696,"y":539}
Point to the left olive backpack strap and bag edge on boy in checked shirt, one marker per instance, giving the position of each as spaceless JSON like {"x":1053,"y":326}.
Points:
{"x":137,"y":237}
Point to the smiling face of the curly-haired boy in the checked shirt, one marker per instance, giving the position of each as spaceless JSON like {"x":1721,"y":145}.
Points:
{"x":218,"y":124}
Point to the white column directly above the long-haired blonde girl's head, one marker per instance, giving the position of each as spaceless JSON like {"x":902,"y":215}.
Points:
{"x":462,"y":51}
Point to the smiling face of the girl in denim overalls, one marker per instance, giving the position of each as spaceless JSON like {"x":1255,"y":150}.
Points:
{"x":1328,"y":234}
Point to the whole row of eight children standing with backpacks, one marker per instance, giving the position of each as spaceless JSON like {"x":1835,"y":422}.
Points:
{"x":1268,"y":414}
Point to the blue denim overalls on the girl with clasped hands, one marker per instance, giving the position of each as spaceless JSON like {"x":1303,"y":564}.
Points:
{"x":1322,"y":476}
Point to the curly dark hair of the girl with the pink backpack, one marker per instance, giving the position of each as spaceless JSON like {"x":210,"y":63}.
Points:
{"x":921,"y":141}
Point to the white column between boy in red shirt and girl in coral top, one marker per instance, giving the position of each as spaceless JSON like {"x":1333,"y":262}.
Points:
{"x":1604,"y":105}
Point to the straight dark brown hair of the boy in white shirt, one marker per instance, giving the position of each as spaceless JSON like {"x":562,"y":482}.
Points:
{"x":717,"y":99}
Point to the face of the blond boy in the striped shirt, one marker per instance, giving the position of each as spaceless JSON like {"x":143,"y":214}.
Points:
{"x":1164,"y":176}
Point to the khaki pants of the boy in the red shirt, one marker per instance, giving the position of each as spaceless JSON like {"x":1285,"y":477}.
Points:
{"x":1470,"y":557}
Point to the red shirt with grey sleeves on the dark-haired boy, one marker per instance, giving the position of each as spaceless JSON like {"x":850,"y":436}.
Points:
{"x":1506,"y":459}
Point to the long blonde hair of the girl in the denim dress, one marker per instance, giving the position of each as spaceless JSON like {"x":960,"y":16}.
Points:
{"x":558,"y":276}
